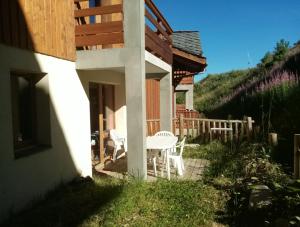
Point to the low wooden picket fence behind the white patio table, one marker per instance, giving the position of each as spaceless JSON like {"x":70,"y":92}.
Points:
{"x":207,"y":129}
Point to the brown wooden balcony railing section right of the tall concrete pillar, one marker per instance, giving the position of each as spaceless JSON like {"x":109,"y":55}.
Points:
{"x":158,"y":33}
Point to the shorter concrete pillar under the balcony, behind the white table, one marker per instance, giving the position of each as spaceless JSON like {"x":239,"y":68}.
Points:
{"x":166,"y":103}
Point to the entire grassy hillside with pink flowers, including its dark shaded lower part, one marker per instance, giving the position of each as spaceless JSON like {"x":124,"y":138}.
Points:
{"x":270,"y":93}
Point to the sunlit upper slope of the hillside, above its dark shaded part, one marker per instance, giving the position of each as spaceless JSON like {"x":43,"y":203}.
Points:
{"x":217,"y":90}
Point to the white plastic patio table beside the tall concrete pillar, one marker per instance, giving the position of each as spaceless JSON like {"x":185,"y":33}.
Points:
{"x":164,"y":143}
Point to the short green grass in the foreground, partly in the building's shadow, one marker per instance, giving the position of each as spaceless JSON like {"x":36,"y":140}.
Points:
{"x":111,"y":202}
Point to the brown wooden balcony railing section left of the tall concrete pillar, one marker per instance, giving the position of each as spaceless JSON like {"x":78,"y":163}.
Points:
{"x":98,"y":27}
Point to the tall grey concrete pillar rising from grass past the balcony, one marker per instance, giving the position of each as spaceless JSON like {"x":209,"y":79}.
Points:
{"x":134,"y":35}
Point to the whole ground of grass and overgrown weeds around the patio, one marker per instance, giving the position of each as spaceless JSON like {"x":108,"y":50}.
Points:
{"x":220,"y":198}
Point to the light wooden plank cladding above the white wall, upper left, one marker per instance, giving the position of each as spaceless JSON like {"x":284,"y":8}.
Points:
{"x":45,"y":27}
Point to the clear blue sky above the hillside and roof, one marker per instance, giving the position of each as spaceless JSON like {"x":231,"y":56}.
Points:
{"x":235,"y":34}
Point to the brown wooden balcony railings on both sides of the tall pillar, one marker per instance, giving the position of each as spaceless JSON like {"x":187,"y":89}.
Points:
{"x":101,"y":27}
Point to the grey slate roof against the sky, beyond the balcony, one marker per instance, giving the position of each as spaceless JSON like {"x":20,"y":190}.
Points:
{"x":188,"y":41}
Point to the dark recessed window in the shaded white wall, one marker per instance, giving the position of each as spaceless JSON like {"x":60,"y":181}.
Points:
{"x":31,"y":113}
